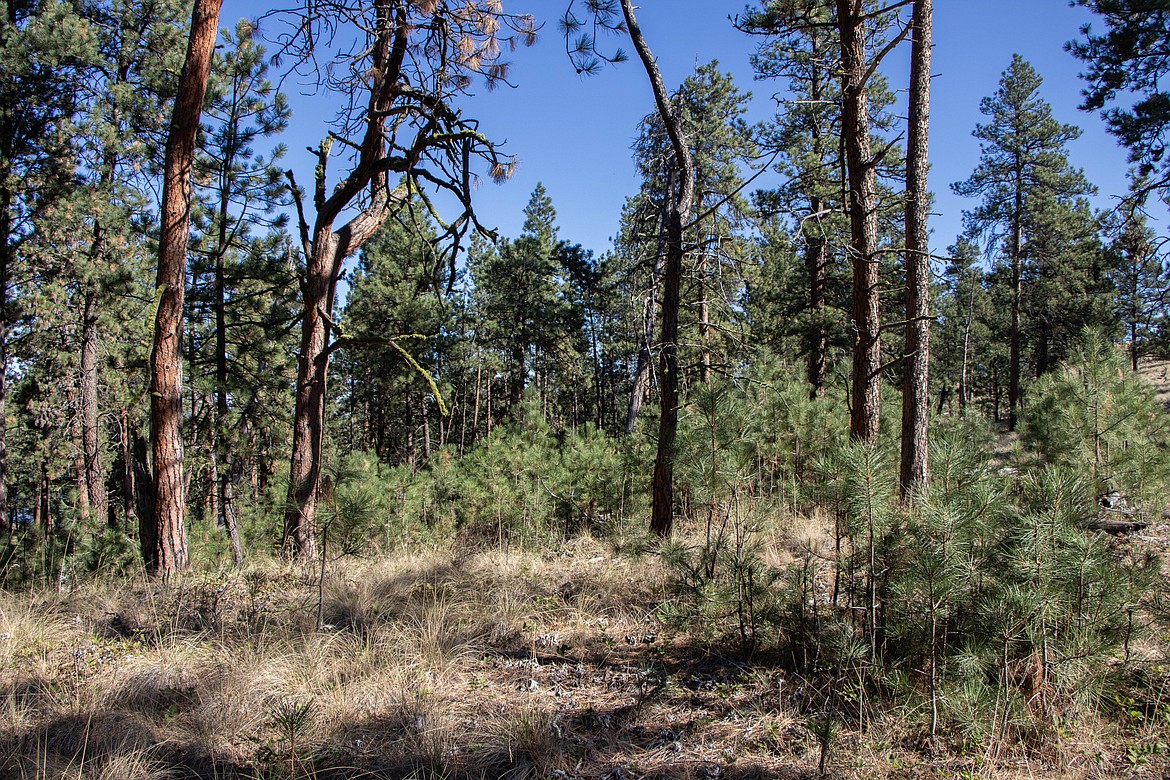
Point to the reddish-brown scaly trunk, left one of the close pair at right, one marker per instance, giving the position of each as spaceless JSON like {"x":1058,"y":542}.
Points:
{"x":866,"y":412}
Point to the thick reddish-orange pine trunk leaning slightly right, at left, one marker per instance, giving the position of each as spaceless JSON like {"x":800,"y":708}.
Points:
{"x":170,"y":555}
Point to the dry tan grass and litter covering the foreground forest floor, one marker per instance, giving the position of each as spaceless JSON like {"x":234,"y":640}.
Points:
{"x":445,"y":662}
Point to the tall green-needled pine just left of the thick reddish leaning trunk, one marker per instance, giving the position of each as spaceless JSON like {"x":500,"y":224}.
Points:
{"x":141,"y":46}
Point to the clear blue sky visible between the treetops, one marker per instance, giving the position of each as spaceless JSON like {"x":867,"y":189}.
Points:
{"x":574,"y":134}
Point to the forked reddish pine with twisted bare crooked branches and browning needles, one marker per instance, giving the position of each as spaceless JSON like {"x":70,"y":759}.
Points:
{"x":415,"y":60}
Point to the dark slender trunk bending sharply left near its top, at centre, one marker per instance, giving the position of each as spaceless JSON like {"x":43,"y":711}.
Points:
{"x":682,"y":202}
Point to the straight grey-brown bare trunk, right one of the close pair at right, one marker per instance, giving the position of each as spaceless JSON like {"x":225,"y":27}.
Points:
{"x":916,"y":392}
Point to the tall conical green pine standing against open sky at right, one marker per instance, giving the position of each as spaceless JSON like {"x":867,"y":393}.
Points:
{"x":1023,"y":160}
